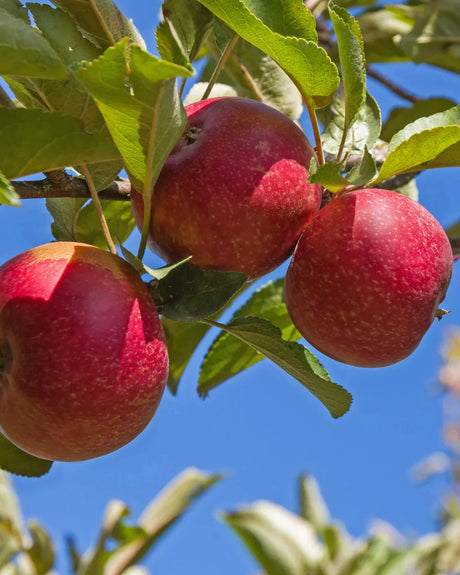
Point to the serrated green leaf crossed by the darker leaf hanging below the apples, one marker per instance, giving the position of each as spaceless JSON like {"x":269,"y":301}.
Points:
{"x":228,"y":355}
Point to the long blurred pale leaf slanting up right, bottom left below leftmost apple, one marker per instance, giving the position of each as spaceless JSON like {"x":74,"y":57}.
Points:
{"x":160,"y":514}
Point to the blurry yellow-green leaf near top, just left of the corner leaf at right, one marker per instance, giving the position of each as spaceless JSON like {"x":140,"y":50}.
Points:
{"x":381,"y":26}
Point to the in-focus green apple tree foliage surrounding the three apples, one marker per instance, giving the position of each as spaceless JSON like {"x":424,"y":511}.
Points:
{"x":83,"y":99}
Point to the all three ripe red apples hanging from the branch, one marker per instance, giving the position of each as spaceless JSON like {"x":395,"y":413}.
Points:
{"x":83,"y":358}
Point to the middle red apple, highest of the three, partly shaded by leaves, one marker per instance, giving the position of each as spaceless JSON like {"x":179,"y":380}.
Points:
{"x":234,"y":192}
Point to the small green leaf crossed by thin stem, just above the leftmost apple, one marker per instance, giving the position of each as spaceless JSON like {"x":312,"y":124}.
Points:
{"x":119,"y":217}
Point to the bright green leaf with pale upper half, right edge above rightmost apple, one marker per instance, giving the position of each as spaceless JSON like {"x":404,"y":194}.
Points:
{"x":432,"y":142}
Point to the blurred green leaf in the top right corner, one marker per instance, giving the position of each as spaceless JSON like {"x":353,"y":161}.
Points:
{"x":434,"y":37}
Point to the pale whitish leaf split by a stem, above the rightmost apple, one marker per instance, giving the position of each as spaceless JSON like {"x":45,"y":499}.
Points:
{"x":363,"y":133}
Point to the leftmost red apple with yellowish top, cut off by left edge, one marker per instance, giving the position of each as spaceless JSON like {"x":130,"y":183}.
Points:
{"x":83,"y":360}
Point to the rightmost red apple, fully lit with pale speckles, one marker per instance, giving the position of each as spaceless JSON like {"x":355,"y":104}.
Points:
{"x":367,"y":276}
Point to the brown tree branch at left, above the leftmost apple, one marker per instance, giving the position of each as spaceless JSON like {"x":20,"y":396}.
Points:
{"x":58,"y":184}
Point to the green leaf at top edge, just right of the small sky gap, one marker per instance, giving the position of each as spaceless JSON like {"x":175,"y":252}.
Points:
{"x":183,"y":31}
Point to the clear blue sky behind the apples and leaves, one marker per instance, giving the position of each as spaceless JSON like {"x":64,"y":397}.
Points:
{"x":262,"y":427}
